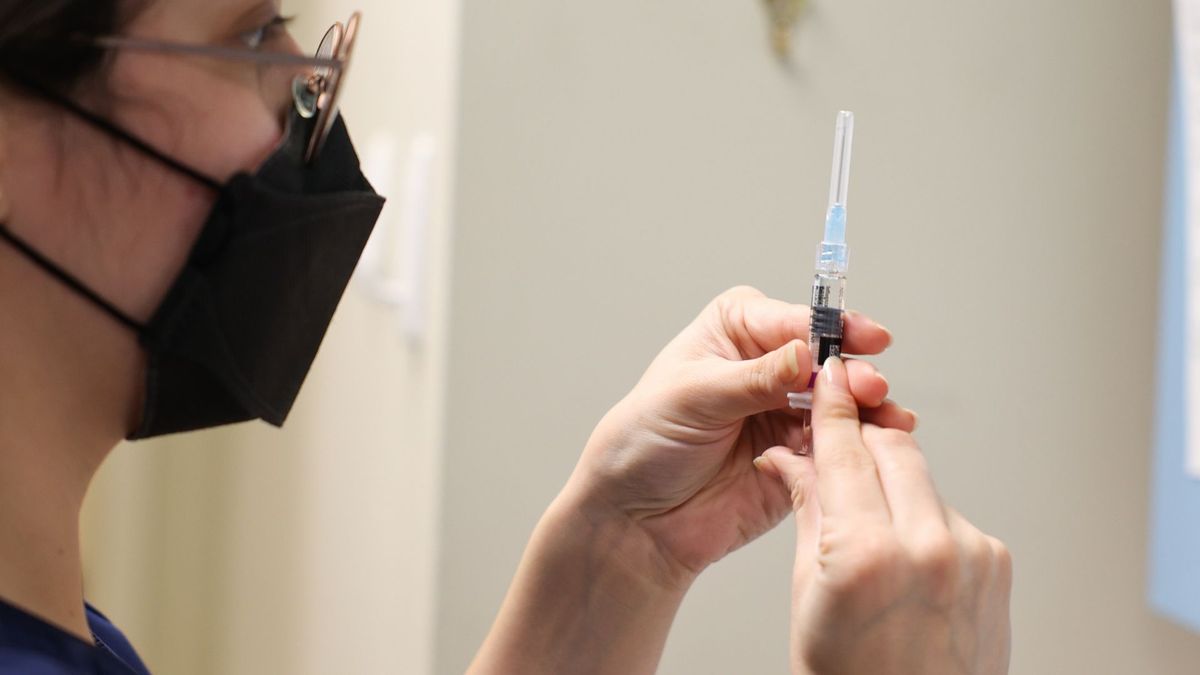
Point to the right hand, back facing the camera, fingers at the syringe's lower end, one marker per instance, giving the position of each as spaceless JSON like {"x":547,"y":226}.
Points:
{"x":887,"y":580}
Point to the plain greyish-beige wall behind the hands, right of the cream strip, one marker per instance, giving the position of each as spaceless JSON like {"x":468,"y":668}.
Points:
{"x":623,"y":162}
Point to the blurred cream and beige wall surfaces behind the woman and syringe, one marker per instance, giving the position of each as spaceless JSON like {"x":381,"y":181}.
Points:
{"x":571,"y":183}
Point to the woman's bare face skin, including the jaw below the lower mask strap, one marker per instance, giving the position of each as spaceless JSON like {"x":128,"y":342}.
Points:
{"x":116,"y":219}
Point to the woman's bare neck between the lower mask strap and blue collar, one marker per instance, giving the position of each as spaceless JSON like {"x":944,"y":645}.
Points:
{"x":62,"y":411}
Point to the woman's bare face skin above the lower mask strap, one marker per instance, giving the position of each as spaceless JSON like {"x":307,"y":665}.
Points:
{"x":118,"y":220}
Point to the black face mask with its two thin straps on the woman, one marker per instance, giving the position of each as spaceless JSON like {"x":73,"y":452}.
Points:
{"x":239,"y":330}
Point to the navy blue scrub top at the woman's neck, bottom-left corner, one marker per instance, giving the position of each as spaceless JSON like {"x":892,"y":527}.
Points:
{"x":32,"y":647}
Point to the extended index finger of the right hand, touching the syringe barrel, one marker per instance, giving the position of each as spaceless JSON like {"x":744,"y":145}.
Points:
{"x":848,"y":480}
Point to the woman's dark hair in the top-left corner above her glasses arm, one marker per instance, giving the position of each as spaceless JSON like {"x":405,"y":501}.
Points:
{"x":40,"y":39}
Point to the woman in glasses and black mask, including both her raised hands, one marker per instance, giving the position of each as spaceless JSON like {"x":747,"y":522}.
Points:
{"x":182,"y":208}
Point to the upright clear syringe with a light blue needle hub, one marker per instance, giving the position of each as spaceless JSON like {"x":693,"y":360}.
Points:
{"x":830,"y":282}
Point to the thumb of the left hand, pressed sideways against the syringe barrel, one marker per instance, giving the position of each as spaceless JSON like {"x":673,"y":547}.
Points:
{"x":749,"y":387}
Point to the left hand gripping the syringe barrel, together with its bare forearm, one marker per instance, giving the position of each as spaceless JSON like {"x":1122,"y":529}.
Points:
{"x":668,"y":486}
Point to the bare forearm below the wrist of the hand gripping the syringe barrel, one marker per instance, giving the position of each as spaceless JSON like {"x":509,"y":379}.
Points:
{"x":587,"y":599}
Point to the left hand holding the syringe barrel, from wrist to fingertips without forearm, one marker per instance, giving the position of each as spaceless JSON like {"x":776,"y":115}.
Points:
{"x":675,"y":458}
